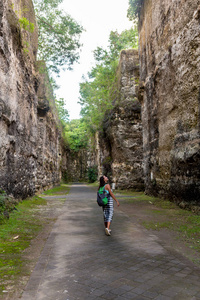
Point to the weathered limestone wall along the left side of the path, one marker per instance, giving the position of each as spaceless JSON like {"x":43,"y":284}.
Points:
{"x":29,"y":129}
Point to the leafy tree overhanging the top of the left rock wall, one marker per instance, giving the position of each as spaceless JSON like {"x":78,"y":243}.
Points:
{"x":59,"y":35}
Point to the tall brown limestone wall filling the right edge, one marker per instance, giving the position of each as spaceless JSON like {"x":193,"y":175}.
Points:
{"x":169,"y":51}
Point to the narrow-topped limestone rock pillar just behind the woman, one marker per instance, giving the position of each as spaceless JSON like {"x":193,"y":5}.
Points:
{"x":122,"y":140}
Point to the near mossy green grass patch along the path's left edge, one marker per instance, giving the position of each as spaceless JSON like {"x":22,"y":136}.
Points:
{"x":15,"y":236}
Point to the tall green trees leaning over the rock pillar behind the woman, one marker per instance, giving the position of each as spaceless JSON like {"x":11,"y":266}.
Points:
{"x":99,"y":91}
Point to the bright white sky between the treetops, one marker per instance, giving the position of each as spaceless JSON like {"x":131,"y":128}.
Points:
{"x":98,"y":18}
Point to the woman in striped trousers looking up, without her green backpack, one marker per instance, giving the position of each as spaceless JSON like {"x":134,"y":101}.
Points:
{"x":108,"y":208}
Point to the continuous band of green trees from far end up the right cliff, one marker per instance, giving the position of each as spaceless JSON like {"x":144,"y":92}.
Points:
{"x":98,"y":92}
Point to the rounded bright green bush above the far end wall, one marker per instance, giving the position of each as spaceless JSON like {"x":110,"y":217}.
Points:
{"x":76,"y":135}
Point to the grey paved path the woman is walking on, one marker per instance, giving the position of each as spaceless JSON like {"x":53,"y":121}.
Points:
{"x":80,"y":262}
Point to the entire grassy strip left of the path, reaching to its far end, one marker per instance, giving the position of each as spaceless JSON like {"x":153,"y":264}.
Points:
{"x":16,"y":234}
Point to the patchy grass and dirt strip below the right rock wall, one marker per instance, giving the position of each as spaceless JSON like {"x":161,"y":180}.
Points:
{"x":164,"y":214}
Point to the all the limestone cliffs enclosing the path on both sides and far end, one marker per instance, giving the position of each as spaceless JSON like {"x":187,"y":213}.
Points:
{"x":32,"y":153}
